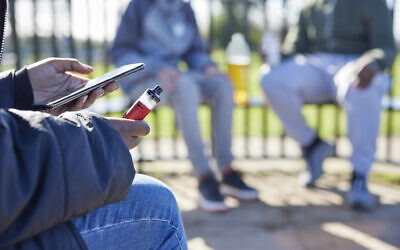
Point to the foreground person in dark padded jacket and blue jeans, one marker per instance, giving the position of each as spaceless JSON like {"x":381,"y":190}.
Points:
{"x":66,"y":180}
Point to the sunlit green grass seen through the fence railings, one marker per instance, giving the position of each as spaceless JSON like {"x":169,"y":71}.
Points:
{"x":261,"y":121}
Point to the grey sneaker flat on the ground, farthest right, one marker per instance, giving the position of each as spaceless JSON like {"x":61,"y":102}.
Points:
{"x":358,"y":197}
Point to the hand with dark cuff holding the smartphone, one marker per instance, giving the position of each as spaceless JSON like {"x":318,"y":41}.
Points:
{"x":43,"y":81}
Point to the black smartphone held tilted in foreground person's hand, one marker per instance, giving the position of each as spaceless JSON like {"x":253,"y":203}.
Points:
{"x":93,"y":84}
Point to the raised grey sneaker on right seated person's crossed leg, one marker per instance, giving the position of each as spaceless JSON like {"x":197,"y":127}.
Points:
{"x":315,"y":155}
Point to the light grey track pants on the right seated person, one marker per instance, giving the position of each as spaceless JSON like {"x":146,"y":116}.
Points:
{"x":323,"y":77}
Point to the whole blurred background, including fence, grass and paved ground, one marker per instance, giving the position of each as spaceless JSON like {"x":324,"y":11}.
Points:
{"x":287,"y":216}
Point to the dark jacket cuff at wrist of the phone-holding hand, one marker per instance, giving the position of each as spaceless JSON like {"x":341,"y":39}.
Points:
{"x":16,"y":90}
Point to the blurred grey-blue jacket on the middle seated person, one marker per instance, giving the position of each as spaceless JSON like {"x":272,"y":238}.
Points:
{"x":159,"y":34}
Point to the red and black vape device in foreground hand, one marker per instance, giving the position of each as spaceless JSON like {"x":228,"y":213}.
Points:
{"x":146,"y":102}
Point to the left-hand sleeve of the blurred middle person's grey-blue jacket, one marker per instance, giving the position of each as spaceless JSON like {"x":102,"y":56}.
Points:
{"x":124,"y":49}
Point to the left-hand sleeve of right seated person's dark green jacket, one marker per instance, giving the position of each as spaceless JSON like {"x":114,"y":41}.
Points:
{"x":296,"y":40}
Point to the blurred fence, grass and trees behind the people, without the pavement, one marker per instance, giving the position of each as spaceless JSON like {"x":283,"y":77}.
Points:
{"x":84,"y":29}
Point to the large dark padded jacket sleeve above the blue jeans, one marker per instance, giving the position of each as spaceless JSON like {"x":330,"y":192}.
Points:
{"x":56,"y":168}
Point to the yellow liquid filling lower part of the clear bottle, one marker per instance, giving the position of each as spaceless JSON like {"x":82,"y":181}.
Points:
{"x":238,"y":76}
